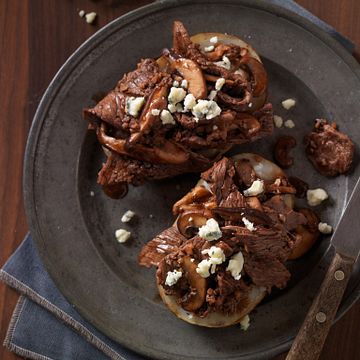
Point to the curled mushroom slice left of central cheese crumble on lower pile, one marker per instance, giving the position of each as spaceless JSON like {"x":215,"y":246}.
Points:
{"x":190,"y":221}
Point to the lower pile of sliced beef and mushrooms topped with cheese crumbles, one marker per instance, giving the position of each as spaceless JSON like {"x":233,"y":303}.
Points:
{"x":235,"y":230}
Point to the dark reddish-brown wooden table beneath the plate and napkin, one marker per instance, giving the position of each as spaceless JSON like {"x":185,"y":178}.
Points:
{"x":36,"y":37}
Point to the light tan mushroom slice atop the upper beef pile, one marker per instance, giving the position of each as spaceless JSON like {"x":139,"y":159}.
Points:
{"x":192,"y":73}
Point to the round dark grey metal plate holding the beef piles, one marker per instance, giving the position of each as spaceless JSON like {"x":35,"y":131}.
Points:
{"x":74,"y":231}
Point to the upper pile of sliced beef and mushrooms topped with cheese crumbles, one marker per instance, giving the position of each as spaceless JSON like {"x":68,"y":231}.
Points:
{"x":181,"y":112}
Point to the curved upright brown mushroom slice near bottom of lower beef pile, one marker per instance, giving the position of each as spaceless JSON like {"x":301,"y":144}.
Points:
{"x":194,"y":298}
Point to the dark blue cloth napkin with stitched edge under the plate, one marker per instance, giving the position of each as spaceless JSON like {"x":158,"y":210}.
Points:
{"x":44,"y":325}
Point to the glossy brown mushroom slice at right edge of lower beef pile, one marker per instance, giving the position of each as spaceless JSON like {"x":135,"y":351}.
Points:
{"x":305,"y":235}
